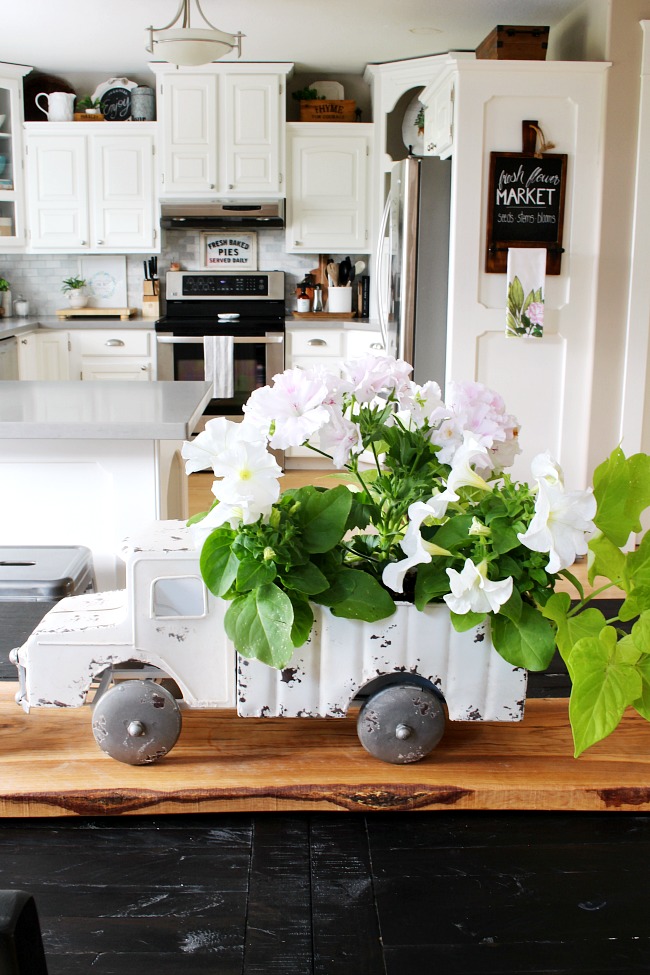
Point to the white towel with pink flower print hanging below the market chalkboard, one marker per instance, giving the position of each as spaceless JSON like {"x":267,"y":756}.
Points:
{"x":526,"y":281}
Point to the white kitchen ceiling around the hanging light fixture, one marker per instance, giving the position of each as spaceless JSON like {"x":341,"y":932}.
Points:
{"x":103,"y":39}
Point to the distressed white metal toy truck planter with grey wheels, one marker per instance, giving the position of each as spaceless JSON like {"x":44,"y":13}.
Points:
{"x":145,"y":652}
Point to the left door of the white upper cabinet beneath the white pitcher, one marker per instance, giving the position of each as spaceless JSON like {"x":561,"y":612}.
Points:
{"x":57,"y":185}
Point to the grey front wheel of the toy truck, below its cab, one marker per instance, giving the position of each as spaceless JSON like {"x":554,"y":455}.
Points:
{"x":136,"y":722}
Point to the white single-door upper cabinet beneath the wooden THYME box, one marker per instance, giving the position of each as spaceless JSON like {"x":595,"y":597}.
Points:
{"x":328,"y":187}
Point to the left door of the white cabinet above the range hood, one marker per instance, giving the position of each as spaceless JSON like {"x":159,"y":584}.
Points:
{"x":190,"y":133}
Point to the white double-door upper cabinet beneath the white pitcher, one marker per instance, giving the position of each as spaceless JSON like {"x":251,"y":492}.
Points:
{"x":91,"y":188}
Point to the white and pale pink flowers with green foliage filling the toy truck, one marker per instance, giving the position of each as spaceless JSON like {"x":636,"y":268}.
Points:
{"x":427,"y":515}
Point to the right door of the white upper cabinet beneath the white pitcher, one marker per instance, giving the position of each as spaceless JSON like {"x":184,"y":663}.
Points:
{"x":122,"y":192}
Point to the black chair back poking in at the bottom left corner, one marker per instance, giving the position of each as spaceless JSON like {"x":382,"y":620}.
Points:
{"x":21,"y":945}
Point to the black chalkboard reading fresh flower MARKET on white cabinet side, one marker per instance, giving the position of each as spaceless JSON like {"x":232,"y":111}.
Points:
{"x":525,"y":207}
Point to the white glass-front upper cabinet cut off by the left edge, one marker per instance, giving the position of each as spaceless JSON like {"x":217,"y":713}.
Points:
{"x":12,"y":221}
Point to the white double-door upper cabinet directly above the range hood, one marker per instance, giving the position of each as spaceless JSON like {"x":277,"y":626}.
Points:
{"x":222,"y":129}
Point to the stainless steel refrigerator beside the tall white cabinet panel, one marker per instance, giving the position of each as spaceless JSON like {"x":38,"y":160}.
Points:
{"x":413,"y":265}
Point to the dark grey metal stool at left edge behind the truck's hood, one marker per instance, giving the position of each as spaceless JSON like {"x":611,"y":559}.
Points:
{"x":32,"y":580}
